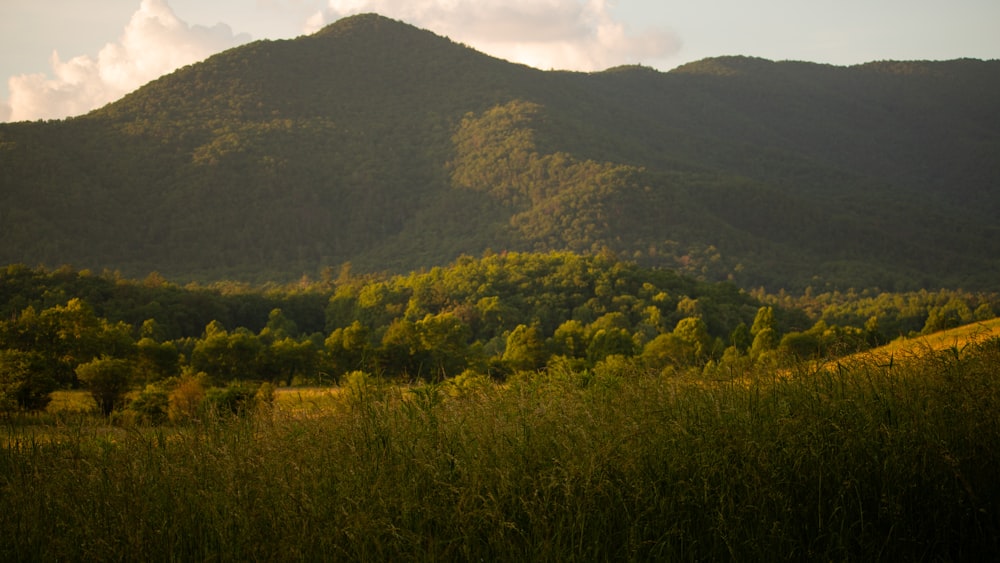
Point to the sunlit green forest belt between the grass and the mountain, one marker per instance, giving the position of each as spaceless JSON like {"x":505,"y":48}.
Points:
{"x":142,"y":345}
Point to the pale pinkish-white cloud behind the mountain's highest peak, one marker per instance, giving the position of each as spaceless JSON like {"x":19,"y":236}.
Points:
{"x":562,"y":34}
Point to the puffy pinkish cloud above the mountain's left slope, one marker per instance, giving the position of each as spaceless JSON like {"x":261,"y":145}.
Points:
{"x":153,"y":43}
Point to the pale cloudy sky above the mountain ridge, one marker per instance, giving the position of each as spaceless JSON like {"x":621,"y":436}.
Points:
{"x":65,"y":57}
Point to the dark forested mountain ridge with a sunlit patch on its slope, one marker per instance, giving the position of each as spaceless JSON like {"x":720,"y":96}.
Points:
{"x":389,"y":147}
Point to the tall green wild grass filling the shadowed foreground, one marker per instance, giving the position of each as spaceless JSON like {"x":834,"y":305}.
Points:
{"x":859,"y":461}
